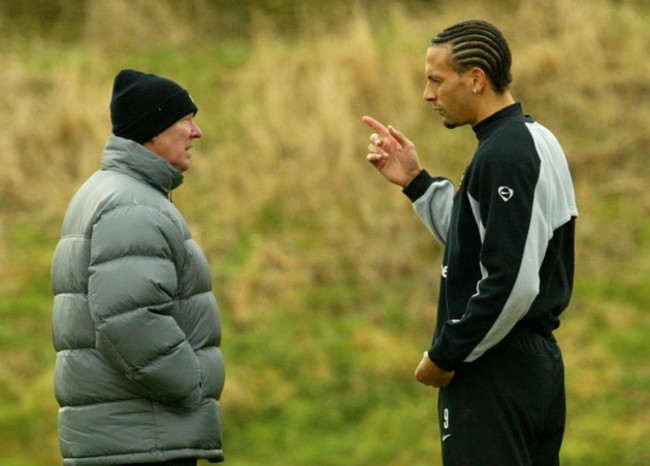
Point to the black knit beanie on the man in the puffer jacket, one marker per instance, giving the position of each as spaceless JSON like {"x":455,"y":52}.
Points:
{"x":143,"y":105}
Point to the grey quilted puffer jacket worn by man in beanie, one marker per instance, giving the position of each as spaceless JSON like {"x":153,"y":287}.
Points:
{"x":136,"y":327}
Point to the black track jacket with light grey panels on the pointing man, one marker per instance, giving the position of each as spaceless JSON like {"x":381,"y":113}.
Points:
{"x":508,"y":234}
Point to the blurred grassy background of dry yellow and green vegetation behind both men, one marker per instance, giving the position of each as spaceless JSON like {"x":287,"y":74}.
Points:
{"x":326,"y":280}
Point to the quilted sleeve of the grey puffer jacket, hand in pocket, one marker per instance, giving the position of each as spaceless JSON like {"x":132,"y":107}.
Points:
{"x":136,"y":254}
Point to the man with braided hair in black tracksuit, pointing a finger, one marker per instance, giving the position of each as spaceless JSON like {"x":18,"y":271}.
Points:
{"x":507,"y":273}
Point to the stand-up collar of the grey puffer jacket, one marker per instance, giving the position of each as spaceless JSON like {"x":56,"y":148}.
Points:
{"x":133,"y":159}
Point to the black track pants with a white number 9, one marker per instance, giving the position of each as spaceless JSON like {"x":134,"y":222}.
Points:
{"x":507,"y":407}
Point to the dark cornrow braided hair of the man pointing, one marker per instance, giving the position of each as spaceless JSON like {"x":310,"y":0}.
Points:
{"x":478,"y":43}
